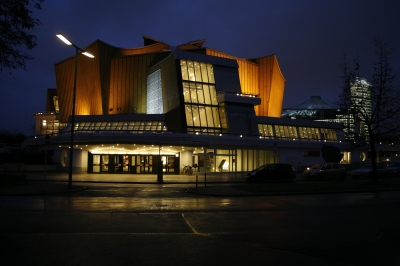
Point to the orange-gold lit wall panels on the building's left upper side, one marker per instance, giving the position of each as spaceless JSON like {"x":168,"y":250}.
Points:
{"x":93,"y":81}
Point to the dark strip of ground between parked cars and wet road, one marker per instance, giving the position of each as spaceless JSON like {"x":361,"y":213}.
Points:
{"x":320,"y":186}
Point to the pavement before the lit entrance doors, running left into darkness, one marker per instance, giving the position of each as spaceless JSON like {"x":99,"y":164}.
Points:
{"x":38,"y":183}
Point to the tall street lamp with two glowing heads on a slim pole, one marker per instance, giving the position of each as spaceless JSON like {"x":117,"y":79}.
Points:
{"x":71,"y":153}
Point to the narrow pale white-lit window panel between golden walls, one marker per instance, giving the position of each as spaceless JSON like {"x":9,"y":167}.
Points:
{"x":154,"y":93}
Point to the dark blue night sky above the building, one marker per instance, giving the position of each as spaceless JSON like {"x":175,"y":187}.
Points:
{"x":308,"y":37}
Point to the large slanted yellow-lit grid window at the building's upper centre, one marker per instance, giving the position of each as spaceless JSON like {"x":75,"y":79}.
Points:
{"x":201,"y":106}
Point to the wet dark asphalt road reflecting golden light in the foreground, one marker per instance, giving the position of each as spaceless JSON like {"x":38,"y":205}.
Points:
{"x":154,"y":224}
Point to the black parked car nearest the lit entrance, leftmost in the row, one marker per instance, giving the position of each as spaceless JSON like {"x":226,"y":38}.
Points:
{"x":276,"y":171}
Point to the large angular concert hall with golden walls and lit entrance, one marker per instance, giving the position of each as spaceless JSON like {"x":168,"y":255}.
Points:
{"x":159,"y":106}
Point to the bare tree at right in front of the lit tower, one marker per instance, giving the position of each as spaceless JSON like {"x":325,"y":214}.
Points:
{"x":373,"y":103}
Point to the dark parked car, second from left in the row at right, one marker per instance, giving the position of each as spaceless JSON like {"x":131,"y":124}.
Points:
{"x":329,"y":170}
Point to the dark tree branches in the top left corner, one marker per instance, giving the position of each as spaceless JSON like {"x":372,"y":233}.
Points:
{"x":15,"y":23}
